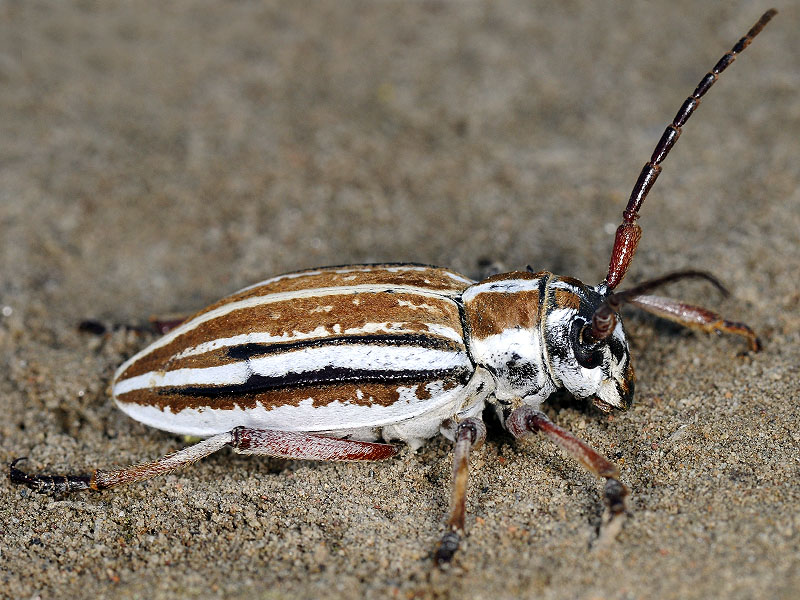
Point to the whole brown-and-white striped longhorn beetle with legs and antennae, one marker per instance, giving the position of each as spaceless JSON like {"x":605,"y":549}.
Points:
{"x":321,"y":364}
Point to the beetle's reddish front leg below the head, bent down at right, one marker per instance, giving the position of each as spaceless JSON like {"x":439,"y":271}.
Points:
{"x":526,"y":420}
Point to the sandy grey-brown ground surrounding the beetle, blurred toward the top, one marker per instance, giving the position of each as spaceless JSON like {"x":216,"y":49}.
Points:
{"x":154,"y":159}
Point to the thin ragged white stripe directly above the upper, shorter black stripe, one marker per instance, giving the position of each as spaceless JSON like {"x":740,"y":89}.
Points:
{"x":262,"y":337}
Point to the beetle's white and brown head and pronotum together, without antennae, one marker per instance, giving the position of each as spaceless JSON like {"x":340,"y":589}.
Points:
{"x":528,"y":330}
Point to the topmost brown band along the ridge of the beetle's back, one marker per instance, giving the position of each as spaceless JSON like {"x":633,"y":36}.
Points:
{"x":430,"y":278}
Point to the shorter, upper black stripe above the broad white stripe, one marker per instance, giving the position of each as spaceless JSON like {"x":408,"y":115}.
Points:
{"x":420,"y":340}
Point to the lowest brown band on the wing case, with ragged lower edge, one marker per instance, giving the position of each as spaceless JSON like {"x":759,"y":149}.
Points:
{"x":359,"y":394}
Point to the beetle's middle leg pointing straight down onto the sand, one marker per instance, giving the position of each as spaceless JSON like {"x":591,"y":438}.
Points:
{"x":469,"y":435}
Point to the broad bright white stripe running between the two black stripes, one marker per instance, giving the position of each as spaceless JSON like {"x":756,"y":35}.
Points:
{"x":349,"y":356}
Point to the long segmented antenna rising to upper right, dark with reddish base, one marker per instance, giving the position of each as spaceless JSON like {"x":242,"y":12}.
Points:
{"x":629,"y":233}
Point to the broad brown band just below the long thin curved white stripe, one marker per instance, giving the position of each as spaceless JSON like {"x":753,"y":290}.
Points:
{"x":285,"y":318}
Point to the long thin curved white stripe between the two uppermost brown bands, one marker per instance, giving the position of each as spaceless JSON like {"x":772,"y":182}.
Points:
{"x":230,"y":307}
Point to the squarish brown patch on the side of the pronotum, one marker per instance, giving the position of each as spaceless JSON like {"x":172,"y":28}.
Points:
{"x":490,"y":313}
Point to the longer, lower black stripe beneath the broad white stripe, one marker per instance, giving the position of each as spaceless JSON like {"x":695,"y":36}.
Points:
{"x":326,"y":376}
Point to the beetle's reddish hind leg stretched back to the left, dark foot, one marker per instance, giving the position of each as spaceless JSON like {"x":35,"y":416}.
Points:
{"x":281,"y":444}
